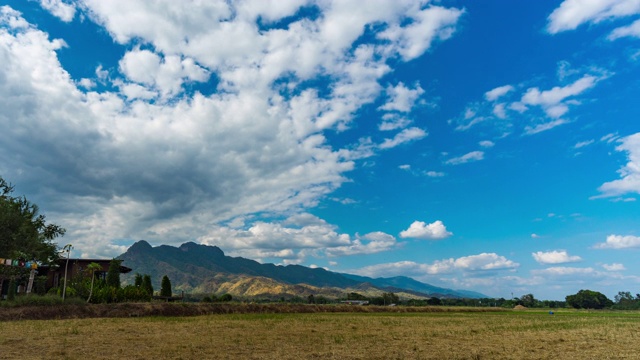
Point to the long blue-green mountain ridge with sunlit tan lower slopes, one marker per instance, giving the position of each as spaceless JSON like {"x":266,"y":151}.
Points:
{"x":200,"y":268}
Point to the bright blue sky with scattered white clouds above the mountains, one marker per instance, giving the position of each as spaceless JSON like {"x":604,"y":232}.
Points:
{"x":482,"y":145}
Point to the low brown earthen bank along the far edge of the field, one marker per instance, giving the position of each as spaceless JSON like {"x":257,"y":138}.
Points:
{"x":194,"y":309}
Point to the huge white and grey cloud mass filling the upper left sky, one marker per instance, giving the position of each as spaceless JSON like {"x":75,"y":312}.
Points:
{"x":147,"y":155}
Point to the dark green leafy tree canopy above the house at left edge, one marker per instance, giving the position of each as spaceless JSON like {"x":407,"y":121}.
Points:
{"x":24,"y":232}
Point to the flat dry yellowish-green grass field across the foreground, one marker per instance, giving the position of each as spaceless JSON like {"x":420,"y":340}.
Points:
{"x":400,"y":335}
